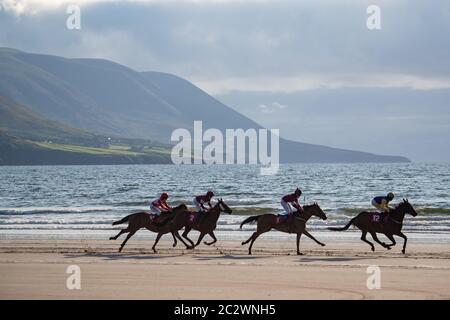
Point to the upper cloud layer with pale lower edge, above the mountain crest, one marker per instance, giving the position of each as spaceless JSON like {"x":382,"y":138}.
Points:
{"x":240,"y":45}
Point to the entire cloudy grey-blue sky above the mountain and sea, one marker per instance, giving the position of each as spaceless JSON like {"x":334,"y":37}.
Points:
{"x":309,"y":68}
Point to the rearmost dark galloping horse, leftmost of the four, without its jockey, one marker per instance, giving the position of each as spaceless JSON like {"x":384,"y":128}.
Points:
{"x":141,"y":219}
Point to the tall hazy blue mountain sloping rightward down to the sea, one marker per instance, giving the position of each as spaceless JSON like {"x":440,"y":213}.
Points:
{"x":105,"y":98}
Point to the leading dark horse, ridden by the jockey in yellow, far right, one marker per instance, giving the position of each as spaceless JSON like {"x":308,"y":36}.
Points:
{"x":393,"y":226}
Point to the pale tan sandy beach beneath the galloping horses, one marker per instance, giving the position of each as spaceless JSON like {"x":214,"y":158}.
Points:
{"x":36,"y":269}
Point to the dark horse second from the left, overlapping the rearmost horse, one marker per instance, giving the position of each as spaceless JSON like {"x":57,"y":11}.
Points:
{"x":207,"y":223}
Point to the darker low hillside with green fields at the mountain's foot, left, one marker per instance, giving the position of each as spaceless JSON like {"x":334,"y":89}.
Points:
{"x":28,"y":138}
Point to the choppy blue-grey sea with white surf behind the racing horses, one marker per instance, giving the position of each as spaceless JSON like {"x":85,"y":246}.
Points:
{"x":81,"y":202}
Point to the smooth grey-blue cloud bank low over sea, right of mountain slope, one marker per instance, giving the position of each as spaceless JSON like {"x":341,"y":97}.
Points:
{"x":413,"y":123}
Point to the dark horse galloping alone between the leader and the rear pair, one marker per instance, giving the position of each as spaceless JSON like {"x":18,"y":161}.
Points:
{"x":268,"y":221}
